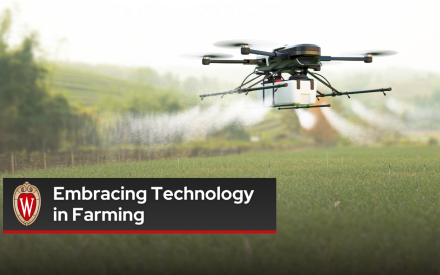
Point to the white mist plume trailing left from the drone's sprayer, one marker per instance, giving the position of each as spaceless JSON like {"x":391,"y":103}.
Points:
{"x":192,"y":124}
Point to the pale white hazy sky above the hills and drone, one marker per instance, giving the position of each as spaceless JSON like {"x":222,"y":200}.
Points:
{"x":154,"y":33}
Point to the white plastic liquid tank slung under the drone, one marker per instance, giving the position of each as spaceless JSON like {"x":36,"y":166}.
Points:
{"x":298,"y":92}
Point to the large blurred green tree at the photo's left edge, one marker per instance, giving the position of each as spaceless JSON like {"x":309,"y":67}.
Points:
{"x":31,"y":118}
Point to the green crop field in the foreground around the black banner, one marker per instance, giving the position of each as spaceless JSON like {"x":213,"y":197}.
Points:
{"x":339,"y":211}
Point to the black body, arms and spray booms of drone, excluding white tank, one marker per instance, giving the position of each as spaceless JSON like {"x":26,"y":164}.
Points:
{"x":296,"y":60}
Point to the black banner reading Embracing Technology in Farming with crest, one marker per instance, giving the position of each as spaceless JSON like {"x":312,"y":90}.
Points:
{"x":136,"y":205}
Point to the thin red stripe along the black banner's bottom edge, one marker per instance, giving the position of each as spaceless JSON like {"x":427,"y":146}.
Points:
{"x":139,"y":231}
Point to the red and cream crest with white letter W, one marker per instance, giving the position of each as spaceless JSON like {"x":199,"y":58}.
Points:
{"x":27,"y":203}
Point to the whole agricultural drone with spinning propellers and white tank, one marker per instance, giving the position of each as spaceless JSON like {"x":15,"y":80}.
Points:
{"x":298,"y":91}
